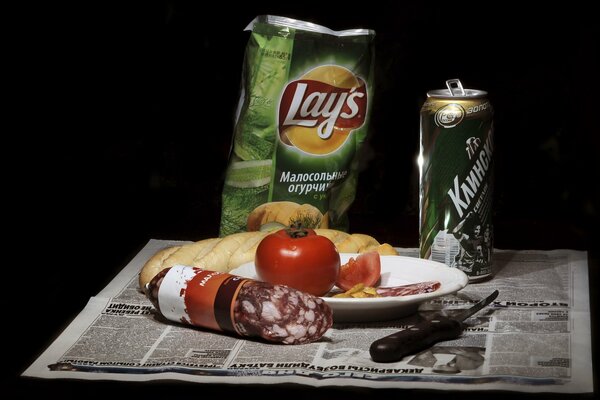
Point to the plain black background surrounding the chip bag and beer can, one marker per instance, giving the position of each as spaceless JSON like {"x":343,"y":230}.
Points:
{"x":125,"y":113}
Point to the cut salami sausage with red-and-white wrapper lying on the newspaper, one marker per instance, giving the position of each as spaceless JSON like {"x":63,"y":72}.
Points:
{"x":247,"y":307}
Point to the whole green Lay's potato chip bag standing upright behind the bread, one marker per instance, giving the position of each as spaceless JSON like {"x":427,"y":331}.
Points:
{"x":302,"y":117}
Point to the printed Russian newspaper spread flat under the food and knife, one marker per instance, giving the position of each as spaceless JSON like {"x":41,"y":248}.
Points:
{"x":534,"y":338}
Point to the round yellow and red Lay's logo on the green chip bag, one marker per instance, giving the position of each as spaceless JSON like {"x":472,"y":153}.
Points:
{"x":318,"y":112}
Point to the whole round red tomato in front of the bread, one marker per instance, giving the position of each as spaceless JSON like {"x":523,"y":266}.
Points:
{"x":298,"y":258}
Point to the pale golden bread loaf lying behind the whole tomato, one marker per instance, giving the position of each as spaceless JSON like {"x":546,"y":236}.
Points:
{"x":225,"y":254}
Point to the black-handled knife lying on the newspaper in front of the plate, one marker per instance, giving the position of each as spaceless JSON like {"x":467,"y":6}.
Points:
{"x":424,"y":334}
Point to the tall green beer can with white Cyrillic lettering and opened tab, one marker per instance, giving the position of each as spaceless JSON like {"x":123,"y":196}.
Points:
{"x":456,"y":179}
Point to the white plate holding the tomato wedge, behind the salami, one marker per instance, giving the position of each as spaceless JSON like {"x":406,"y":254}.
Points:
{"x":395,"y":271}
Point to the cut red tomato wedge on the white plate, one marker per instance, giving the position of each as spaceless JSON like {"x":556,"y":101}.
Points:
{"x":365,"y":269}
